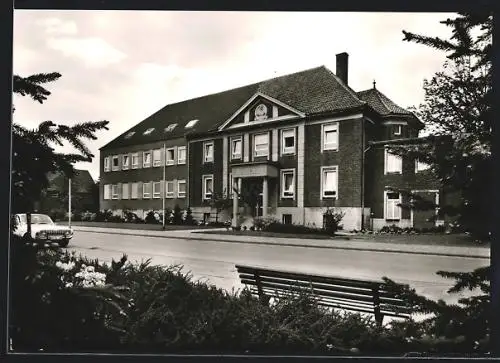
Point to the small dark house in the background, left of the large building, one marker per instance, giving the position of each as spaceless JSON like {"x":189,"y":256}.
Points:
{"x":84,"y":195}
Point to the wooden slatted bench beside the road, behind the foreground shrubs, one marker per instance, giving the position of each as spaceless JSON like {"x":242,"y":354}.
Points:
{"x":372,"y":297}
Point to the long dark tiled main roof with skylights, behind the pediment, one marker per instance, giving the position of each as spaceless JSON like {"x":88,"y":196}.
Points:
{"x":316,"y":90}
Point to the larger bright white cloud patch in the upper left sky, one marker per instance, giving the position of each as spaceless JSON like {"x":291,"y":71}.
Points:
{"x":95,"y":52}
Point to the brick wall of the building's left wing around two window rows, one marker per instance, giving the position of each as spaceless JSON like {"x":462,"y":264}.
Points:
{"x":149,"y":174}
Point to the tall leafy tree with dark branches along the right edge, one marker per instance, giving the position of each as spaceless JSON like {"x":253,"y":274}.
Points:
{"x":458,"y":114}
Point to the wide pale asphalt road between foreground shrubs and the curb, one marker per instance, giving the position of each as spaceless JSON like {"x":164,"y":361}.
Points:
{"x":214,"y":261}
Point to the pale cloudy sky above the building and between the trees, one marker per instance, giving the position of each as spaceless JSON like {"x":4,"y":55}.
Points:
{"x":122,"y":66}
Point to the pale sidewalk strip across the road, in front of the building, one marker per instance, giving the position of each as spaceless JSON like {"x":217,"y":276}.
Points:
{"x":353,"y":244}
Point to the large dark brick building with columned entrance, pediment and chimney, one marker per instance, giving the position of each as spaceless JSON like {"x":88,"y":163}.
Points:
{"x":293,"y":145}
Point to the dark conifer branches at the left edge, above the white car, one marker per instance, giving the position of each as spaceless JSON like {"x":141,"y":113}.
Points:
{"x":33,"y":155}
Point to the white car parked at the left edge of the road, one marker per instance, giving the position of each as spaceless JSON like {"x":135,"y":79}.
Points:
{"x":43,"y":230}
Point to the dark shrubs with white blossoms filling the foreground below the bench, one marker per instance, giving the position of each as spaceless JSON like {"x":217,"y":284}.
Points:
{"x":64,"y":303}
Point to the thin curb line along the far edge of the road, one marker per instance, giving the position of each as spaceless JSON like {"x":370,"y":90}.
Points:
{"x":301,"y":245}
